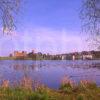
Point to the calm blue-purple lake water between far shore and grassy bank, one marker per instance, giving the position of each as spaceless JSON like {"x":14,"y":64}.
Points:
{"x":50,"y":73}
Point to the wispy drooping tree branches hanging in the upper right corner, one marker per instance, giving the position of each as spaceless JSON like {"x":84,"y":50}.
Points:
{"x":90,"y":15}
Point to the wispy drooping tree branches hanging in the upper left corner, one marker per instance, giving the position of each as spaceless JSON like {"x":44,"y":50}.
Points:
{"x":8,"y":11}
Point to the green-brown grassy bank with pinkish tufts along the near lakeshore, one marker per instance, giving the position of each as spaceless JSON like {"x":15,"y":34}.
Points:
{"x":68,"y":90}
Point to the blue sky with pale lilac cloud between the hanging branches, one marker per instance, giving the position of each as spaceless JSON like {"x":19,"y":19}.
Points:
{"x":47,"y":26}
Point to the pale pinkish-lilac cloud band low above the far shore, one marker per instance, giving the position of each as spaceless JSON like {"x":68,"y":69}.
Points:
{"x":44,"y":40}
